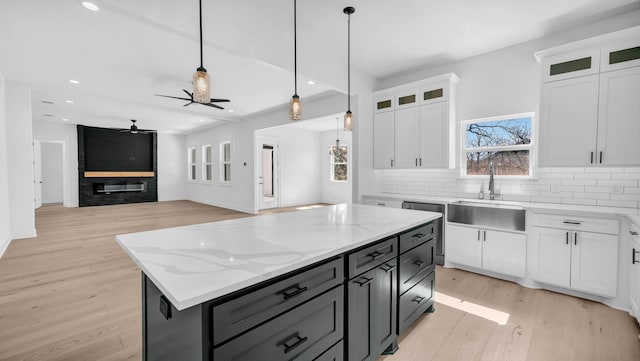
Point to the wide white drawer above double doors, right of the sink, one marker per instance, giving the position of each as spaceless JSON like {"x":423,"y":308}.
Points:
{"x":576,"y":222}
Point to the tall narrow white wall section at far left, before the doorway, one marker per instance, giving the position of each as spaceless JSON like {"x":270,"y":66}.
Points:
{"x":20,"y":160}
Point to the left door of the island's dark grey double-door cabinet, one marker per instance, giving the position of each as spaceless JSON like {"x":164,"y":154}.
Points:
{"x":362,"y":310}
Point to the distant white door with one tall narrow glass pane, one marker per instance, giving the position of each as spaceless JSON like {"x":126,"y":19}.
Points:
{"x":268,"y":190}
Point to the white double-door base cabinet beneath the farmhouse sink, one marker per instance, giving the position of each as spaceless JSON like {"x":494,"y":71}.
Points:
{"x":496,"y":251}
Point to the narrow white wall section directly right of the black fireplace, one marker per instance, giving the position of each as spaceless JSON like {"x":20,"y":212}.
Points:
{"x":171,"y":167}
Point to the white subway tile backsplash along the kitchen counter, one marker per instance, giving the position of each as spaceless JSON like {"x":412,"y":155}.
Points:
{"x":576,"y":185}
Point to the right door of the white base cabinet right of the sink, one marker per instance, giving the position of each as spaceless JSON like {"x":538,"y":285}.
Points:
{"x":594,"y":263}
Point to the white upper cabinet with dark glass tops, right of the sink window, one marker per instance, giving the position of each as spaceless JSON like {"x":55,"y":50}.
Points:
{"x":589,"y":104}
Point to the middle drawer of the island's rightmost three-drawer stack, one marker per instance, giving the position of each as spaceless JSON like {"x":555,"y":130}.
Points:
{"x":415,"y":264}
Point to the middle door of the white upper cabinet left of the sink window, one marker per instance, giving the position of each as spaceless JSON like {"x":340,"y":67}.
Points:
{"x":406,"y":138}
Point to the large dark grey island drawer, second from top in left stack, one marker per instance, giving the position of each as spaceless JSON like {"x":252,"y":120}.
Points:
{"x":303,"y":333}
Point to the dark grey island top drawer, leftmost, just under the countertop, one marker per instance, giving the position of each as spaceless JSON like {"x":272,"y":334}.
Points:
{"x":240,"y":314}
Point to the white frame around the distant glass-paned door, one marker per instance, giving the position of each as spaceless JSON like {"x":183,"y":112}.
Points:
{"x":258,"y":199}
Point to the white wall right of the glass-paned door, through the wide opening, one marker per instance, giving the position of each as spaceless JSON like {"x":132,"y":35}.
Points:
{"x":299,"y":158}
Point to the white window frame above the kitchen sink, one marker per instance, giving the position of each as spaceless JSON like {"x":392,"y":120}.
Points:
{"x":531,"y":147}
